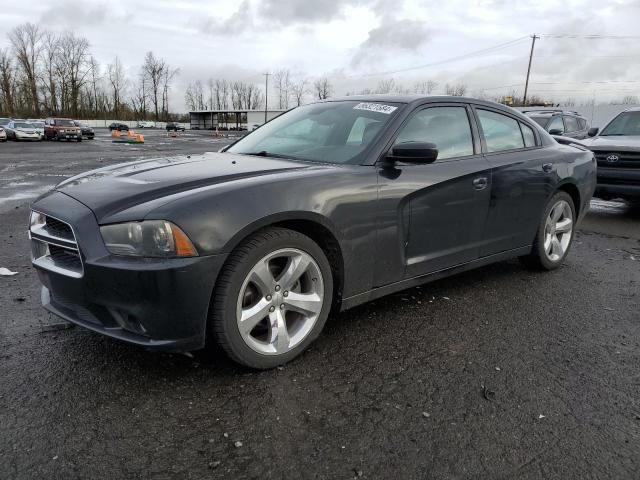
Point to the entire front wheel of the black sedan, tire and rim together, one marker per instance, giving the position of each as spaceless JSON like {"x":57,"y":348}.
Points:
{"x":272,"y":298}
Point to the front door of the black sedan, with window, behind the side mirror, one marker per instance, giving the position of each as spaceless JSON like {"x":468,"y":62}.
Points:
{"x":447,"y":201}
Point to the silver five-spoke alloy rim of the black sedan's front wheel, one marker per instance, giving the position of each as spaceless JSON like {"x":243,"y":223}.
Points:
{"x":280,"y":301}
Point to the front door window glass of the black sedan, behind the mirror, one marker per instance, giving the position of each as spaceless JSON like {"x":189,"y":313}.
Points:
{"x":447,"y":127}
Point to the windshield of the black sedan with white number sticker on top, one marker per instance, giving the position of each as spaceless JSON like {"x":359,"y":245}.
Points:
{"x":332,"y":132}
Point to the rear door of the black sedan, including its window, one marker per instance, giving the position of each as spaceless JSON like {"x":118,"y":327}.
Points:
{"x":519,"y":181}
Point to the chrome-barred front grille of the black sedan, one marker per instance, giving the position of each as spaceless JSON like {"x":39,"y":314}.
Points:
{"x":54,"y":248}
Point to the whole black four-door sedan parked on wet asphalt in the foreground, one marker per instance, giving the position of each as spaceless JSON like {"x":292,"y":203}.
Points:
{"x":327,"y":206}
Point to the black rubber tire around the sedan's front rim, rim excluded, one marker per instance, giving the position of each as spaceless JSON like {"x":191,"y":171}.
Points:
{"x":222,"y":325}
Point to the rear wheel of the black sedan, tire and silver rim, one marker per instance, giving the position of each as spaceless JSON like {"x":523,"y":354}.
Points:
{"x":555,"y":234}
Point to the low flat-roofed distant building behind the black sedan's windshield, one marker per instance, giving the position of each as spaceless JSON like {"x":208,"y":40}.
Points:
{"x":229,"y":119}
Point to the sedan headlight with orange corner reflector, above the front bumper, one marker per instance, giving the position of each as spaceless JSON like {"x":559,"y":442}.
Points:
{"x":151,"y":238}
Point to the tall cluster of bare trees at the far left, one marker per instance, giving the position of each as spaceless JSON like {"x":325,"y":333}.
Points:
{"x":43,"y":73}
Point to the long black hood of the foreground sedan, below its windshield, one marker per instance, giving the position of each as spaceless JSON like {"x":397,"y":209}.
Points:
{"x":113,"y":189}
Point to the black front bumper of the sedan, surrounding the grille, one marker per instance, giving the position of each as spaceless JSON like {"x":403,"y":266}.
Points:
{"x":156,"y":303}
